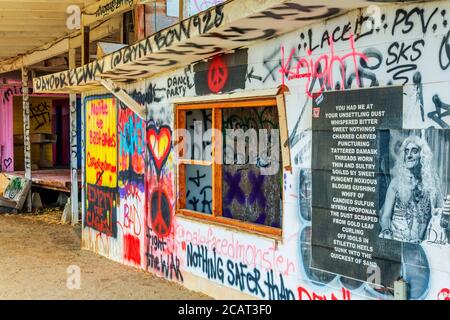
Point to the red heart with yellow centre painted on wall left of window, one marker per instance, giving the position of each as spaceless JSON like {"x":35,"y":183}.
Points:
{"x":160,"y":142}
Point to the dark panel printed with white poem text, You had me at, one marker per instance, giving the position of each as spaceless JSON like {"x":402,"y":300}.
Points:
{"x":347,"y":182}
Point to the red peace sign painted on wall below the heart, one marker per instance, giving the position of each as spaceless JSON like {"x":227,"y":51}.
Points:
{"x":160,"y":213}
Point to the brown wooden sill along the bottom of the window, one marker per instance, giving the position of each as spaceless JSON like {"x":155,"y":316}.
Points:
{"x":237,"y":224}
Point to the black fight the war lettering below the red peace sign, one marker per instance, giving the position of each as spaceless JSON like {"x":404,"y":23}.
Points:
{"x":161,"y":260}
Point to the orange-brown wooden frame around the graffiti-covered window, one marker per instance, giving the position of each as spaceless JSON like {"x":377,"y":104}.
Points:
{"x":216,"y":217}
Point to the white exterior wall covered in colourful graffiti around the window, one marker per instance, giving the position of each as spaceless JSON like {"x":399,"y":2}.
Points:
{"x":407,"y":45}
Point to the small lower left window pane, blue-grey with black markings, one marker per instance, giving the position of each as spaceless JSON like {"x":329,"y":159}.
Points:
{"x":198,"y":188}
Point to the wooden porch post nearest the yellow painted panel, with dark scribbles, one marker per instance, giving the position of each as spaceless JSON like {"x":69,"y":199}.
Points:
{"x":73,"y":145}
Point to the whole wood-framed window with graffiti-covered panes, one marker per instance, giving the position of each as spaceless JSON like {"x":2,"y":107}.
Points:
{"x":229,"y":168}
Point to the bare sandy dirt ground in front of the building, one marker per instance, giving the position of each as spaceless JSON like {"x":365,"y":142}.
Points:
{"x":36,"y":250}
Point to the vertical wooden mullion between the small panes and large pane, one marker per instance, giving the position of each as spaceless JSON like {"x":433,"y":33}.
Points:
{"x":217,"y":163}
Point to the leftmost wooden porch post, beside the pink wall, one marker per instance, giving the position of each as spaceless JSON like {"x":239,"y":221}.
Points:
{"x":26,"y":131}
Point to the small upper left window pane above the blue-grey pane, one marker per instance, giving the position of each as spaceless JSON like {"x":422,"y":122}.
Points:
{"x":198,"y":123}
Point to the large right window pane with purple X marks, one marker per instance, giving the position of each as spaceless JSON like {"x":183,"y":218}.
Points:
{"x":249,"y":195}
